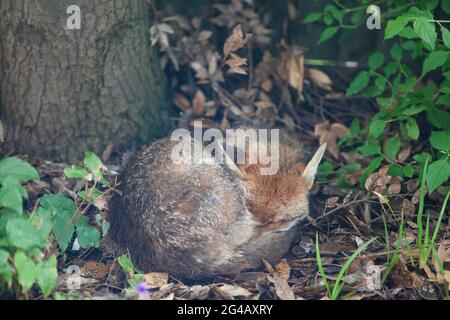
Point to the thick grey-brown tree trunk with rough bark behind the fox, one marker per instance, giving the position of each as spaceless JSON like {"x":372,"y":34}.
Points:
{"x":66,"y":91}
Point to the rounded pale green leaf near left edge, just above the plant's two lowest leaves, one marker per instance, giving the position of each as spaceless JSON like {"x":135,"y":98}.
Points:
{"x":23,"y":235}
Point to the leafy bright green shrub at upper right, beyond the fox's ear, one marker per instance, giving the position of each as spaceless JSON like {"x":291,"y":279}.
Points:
{"x":410,"y":80}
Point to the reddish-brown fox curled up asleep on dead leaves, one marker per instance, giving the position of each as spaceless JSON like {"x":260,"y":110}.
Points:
{"x":198,"y":216}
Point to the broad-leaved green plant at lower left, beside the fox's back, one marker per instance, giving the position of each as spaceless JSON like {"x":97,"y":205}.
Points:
{"x":26,"y":255}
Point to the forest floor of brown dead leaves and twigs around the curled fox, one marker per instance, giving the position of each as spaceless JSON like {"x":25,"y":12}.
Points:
{"x":213,"y":83}
